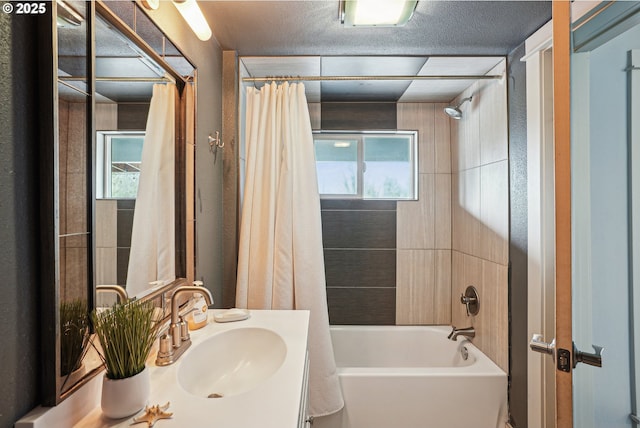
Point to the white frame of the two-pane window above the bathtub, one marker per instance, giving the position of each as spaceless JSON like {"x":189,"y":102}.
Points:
{"x":360,"y":136}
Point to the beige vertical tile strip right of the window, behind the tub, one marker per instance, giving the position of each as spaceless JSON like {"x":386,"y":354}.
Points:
{"x":423,"y":278}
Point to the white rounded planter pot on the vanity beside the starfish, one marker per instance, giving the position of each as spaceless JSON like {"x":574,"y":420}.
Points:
{"x":125,"y":397}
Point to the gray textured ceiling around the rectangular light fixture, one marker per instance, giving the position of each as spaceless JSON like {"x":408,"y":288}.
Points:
{"x":290,"y":38}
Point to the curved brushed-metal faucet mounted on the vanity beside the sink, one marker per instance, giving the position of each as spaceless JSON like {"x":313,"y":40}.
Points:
{"x":176,"y":339}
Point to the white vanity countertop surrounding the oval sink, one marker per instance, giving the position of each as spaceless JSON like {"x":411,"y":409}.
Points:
{"x":279,"y":400}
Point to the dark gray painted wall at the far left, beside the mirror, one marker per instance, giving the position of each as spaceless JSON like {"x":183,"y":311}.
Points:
{"x":19,"y":219}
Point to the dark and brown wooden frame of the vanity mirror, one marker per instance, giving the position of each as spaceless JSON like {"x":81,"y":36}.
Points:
{"x":51,"y":382}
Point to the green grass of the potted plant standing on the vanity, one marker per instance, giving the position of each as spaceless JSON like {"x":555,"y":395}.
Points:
{"x":126,"y":333}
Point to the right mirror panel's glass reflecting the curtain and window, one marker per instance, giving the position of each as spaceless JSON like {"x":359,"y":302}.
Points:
{"x":125,"y":79}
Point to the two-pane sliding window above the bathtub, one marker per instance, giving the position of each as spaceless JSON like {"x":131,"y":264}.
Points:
{"x":366,"y":165}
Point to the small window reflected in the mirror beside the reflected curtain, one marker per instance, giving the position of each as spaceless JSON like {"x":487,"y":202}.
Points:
{"x":119,"y":156}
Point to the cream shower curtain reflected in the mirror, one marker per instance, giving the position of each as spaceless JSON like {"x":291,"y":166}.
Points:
{"x":153,"y":235}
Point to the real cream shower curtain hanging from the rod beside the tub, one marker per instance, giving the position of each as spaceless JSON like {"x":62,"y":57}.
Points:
{"x":281,"y":261}
